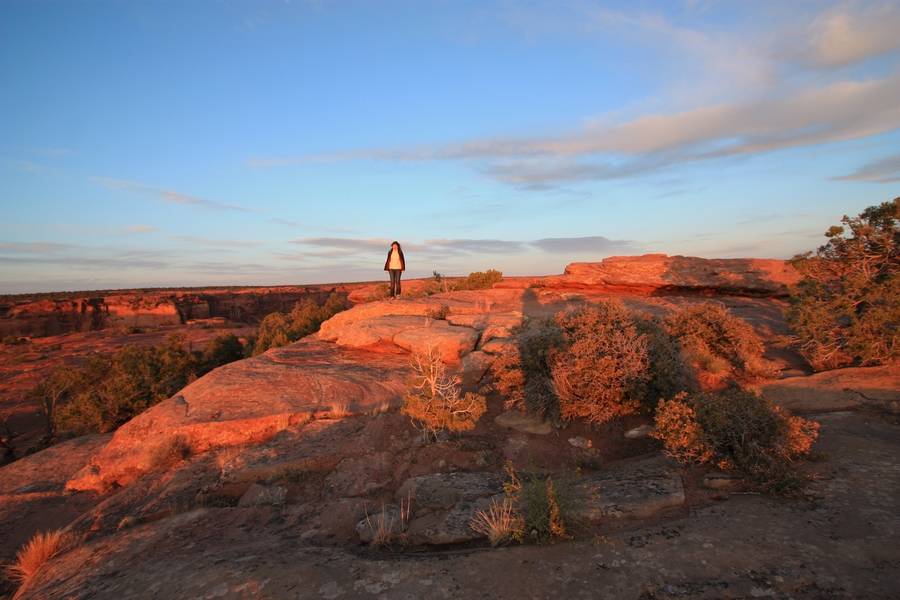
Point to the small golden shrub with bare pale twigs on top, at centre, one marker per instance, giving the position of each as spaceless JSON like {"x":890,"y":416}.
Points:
{"x":435,"y":402}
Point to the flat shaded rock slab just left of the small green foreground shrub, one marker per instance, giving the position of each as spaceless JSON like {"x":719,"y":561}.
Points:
{"x":444,"y":490}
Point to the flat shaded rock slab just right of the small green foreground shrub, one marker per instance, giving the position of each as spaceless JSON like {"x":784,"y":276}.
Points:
{"x":635,"y":489}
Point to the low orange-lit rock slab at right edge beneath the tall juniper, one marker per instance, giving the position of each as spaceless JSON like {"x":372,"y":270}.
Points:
{"x":840,"y":389}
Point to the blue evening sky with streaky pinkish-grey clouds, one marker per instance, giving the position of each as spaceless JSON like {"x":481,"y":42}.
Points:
{"x":147,"y":144}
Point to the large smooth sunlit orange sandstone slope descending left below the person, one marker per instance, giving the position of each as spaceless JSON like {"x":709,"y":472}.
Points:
{"x":250,"y":401}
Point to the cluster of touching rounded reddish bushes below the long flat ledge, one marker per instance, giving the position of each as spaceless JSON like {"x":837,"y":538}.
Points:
{"x":603,"y":361}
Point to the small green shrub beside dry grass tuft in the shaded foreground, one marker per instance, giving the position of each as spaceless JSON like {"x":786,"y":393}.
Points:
{"x":541,"y":510}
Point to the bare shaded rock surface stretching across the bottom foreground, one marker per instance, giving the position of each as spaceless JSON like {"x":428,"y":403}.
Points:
{"x":842,"y":543}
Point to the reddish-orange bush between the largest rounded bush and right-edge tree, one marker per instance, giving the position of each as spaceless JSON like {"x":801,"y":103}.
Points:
{"x":717,"y":342}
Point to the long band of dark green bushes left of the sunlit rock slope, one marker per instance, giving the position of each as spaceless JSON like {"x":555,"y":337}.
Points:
{"x":107,"y":391}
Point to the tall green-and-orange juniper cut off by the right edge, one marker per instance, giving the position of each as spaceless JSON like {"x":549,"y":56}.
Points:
{"x":846,"y":309}
